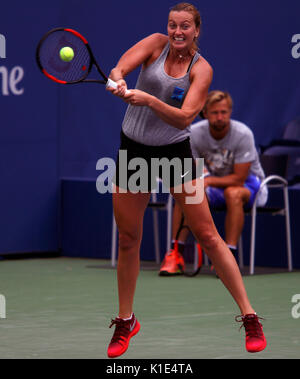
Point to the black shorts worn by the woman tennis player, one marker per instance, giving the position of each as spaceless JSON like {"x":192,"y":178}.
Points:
{"x":138,"y":166}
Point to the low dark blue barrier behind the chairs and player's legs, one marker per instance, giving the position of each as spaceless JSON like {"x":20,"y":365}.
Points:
{"x":87,"y":222}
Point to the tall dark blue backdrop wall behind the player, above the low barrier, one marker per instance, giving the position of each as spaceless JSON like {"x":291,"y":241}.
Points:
{"x":49,"y":132}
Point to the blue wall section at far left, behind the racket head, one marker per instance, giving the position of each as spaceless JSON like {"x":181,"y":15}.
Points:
{"x":28,"y":135}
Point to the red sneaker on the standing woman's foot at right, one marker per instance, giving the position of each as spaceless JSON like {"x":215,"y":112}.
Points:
{"x":255,"y":339}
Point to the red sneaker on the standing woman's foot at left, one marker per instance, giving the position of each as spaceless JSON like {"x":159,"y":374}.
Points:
{"x":123,"y":332}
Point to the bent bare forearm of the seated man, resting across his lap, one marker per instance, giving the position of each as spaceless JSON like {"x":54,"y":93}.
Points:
{"x":237,"y":178}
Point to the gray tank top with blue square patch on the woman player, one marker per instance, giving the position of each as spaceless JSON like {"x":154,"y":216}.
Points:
{"x":141,"y":124}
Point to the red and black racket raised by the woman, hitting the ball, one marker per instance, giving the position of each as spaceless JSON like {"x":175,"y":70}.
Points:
{"x":78,"y":68}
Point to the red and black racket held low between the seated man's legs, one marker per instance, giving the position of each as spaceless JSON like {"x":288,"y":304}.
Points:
{"x":192,"y":261}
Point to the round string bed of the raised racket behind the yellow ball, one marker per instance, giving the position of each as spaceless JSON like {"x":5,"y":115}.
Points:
{"x":49,"y":56}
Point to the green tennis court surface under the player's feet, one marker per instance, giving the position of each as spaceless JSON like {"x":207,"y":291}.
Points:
{"x":61,"y":308}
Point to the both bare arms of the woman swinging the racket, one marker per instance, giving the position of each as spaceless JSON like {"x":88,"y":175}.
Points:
{"x":145,"y":52}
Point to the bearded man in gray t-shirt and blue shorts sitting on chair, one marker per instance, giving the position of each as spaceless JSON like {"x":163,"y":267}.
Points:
{"x":232,"y":173}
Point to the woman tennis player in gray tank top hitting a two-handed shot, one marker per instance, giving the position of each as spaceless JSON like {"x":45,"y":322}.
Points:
{"x":170,"y":92}
